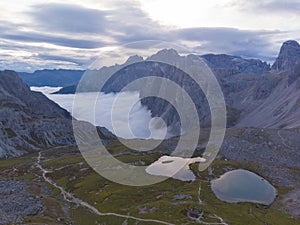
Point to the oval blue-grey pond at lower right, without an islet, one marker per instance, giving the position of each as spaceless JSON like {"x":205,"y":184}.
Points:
{"x":243,"y":186}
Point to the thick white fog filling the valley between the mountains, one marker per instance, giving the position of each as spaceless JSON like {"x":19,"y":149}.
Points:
{"x":139,"y":119}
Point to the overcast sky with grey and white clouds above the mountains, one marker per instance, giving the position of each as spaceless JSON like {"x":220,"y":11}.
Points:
{"x":37,"y":34}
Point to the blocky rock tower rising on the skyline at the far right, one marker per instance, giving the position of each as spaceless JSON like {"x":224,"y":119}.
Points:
{"x":288,"y":57}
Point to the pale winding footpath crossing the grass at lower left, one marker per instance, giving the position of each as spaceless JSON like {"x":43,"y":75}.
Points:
{"x":69,"y":197}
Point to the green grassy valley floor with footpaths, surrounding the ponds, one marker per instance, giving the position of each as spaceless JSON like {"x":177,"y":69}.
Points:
{"x":61,"y":188}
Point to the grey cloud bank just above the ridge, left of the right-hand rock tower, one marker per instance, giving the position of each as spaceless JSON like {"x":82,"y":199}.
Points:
{"x":245,"y":43}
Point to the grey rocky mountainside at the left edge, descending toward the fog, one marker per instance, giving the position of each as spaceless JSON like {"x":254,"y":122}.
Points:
{"x":29,"y":121}
